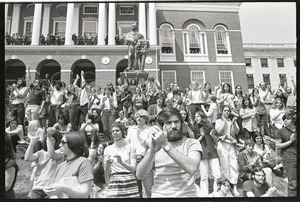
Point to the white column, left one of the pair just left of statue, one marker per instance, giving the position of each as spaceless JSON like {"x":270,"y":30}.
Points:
{"x":102,"y":24}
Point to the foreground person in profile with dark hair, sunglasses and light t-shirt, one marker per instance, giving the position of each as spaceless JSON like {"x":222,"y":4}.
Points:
{"x":76,"y":168}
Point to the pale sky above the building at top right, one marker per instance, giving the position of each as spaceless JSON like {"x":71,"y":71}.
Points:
{"x":268,"y":22}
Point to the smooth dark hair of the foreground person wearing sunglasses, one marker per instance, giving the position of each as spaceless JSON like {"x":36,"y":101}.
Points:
{"x":77,"y":143}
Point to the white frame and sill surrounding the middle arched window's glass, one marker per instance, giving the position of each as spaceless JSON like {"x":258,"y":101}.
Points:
{"x":198,"y":57}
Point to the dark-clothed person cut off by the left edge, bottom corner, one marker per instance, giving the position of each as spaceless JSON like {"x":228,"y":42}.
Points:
{"x":11,"y":169}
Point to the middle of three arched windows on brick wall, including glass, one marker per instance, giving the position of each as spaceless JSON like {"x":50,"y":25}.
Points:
{"x":194,"y":41}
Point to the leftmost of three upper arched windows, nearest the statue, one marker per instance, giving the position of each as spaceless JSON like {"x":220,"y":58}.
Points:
{"x":167,"y":39}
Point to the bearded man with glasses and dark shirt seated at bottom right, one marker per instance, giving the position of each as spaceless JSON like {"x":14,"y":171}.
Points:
{"x":258,"y":187}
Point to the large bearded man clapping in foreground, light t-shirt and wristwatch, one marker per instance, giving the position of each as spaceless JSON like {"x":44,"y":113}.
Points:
{"x":173,"y":158}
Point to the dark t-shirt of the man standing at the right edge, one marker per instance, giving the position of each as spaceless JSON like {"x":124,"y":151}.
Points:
{"x":290,"y":152}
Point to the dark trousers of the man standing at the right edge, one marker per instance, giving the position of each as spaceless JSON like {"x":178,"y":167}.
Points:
{"x":291,"y":172}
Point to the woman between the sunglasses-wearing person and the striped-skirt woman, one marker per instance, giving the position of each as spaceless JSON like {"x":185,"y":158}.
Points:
{"x":96,"y":157}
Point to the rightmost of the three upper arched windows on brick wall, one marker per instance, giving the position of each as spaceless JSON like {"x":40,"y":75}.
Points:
{"x":222,"y":40}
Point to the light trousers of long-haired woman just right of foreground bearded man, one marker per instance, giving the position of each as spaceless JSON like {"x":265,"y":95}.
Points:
{"x":205,"y":165}
